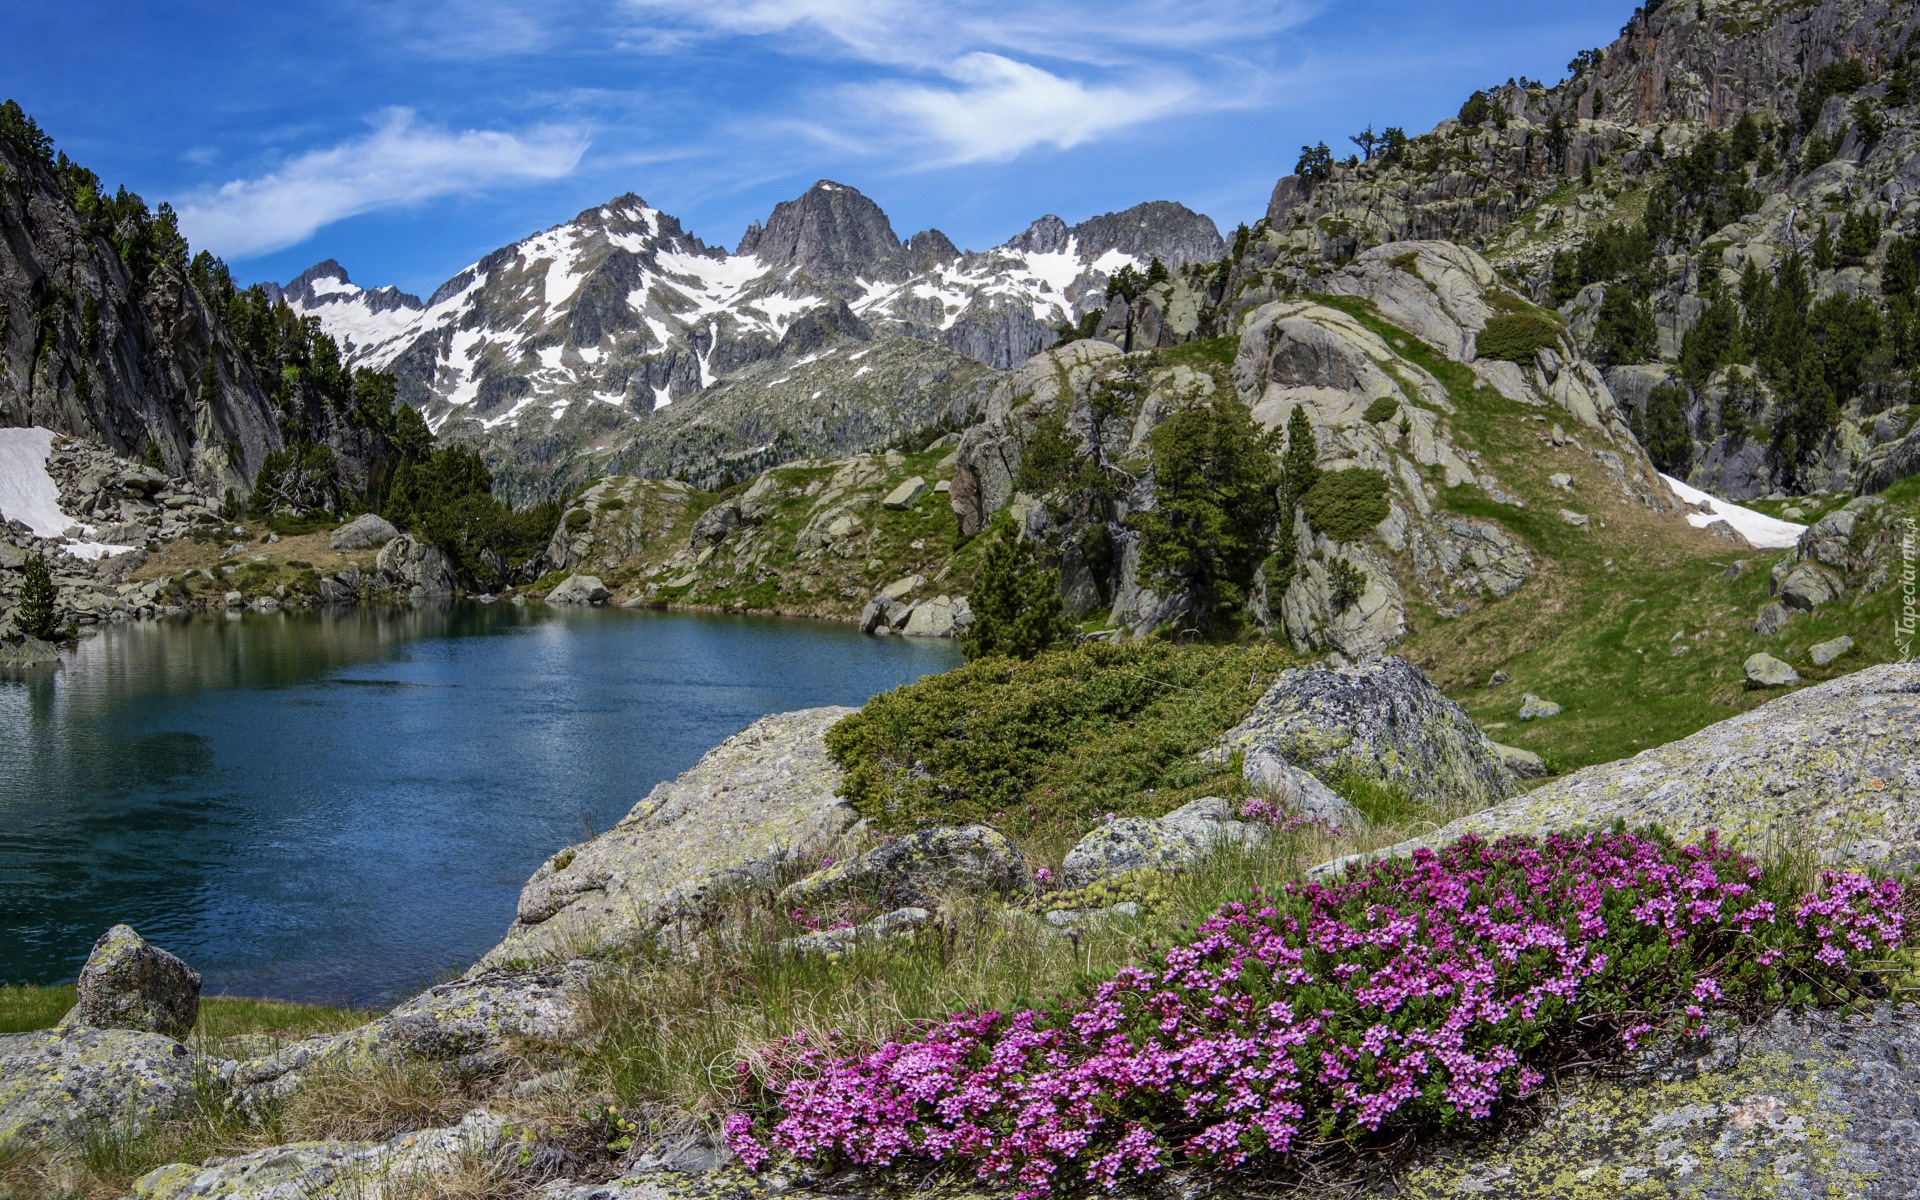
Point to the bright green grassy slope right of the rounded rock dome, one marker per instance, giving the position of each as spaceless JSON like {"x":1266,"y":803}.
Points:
{"x":1598,"y":627}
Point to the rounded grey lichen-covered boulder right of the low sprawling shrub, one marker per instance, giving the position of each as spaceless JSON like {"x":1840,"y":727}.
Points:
{"x":1383,"y":721}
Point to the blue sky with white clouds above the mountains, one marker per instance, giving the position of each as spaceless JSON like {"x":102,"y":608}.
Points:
{"x":412,"y":139}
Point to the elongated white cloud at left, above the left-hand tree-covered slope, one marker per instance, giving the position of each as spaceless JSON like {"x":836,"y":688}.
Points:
{"x":398,"y":164}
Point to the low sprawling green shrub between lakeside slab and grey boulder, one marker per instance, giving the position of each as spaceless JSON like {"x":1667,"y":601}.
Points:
{"x":1057,"y":742}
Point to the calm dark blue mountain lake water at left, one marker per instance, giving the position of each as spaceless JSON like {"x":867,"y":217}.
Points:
{"x":341,"y":807}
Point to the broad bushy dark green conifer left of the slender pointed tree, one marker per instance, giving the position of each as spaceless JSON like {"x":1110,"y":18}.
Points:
{"x":1214,"y":510}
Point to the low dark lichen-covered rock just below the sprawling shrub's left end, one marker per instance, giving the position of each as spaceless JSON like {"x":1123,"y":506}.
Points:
{"x":923,"y":869}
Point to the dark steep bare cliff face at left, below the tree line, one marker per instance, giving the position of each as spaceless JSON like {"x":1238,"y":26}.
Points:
{"x":87,"y":352}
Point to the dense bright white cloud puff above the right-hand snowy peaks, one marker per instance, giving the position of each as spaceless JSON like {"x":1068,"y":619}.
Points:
{"x":999,"y":108}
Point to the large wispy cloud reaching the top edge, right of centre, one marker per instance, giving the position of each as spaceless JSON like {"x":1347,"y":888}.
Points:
{"x":961,"y":82}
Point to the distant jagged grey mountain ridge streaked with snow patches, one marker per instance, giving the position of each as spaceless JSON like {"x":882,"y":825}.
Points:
{"x":577,"y":335}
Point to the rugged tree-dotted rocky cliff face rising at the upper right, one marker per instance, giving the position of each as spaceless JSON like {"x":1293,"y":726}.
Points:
{"x":1543,"y":170}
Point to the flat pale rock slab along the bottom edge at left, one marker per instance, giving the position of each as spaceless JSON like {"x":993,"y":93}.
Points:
{"x":431,"y":1163}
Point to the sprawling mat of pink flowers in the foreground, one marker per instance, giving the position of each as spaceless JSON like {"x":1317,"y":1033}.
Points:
{"x":1412,"y":992}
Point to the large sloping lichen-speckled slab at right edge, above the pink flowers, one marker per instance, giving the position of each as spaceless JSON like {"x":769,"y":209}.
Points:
{"x":1835,"y":767}
